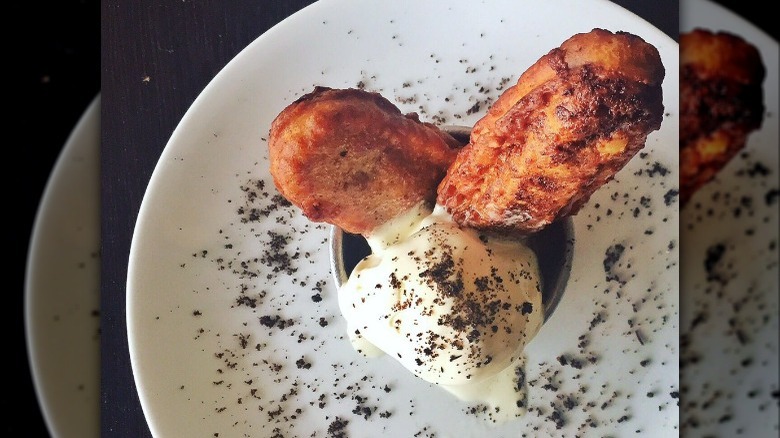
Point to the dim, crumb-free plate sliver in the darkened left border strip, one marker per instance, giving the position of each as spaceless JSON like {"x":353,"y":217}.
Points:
{"x":62,"y":286}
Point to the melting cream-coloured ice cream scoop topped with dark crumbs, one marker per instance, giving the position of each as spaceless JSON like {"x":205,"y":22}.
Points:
{"x":450,"y":304}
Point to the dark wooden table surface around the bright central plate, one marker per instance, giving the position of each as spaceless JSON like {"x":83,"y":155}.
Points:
{"x":157,"y":56}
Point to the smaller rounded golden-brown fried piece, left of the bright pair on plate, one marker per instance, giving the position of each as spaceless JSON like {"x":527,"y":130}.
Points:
{"x":350,"y":158}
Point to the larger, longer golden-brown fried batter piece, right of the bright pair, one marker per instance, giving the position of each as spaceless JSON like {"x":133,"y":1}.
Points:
{"x":573,"y":120}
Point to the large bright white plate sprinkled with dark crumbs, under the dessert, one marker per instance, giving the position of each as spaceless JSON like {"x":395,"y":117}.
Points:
{"x":205,"y":284}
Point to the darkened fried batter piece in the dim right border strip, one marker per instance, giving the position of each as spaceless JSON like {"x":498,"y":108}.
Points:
{"x":721,"y":103}
